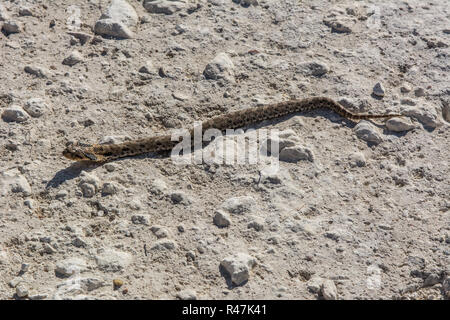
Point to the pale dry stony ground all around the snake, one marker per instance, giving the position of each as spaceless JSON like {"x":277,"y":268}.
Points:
{"x":355,"y":211}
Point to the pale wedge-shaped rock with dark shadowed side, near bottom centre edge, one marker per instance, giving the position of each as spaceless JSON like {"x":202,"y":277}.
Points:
{"x":238,"y":267}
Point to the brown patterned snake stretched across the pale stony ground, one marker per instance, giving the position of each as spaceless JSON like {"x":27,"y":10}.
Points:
{"x":237,"y":119}
